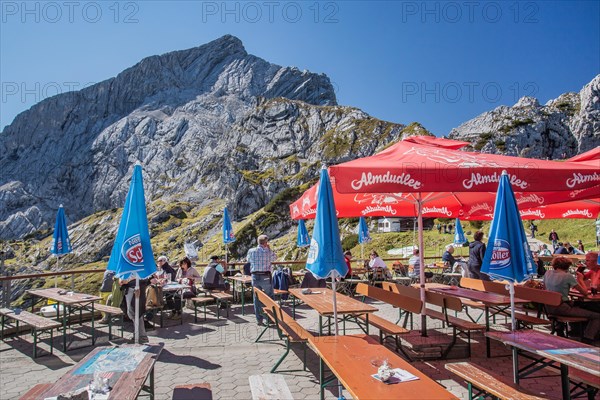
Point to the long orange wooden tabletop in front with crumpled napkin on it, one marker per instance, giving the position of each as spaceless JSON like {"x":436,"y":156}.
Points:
{"x":353,"y":359}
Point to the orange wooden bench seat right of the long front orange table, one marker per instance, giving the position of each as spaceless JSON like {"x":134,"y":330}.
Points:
{"x":488,"y":381}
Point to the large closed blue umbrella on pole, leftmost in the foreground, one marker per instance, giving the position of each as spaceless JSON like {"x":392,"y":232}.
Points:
{"x":131,"y":254}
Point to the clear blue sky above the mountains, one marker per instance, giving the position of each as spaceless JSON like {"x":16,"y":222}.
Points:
{"x":439,"y":63}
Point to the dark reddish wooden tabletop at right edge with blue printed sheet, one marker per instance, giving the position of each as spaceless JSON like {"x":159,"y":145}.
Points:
{"x":565,"y":351}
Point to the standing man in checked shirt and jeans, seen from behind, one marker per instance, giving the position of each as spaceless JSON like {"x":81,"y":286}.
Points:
{"x":260,"y":259}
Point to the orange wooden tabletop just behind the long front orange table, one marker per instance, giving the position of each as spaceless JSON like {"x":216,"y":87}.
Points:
{"x":321,"y":300}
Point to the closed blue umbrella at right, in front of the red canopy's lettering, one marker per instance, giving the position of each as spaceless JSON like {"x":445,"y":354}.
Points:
{"x":507,"y":255}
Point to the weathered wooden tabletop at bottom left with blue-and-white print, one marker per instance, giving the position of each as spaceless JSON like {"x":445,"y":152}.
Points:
{"x":126,"y":367}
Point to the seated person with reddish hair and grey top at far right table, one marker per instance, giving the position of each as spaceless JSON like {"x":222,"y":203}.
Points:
{"x":560,"y":280}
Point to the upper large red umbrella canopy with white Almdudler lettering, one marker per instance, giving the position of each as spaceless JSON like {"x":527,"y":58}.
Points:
{"x":413,"y":167}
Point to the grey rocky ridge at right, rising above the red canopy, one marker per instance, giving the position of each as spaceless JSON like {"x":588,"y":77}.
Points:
{"x":563,"y":127}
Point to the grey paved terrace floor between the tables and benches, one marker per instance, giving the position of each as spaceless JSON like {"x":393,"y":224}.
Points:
{"x":223,"y":353}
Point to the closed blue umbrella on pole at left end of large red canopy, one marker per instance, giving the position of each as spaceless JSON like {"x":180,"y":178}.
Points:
{"x":325,"y":256}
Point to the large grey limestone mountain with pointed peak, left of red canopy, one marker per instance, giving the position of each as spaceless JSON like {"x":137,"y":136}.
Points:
{"x":208,"y":122}
